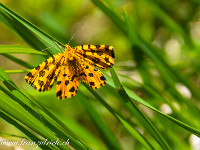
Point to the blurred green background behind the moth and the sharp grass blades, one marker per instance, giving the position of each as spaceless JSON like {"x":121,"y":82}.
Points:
{"x":157,"y":50}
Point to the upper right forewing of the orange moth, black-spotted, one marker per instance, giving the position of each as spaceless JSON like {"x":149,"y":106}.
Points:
{"x":101,"y":56}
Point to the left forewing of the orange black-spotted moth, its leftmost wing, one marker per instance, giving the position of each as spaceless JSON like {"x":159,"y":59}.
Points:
{"x":44,"y":75}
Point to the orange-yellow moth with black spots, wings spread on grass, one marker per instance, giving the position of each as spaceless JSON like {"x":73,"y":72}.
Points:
{"x":74,"y":65}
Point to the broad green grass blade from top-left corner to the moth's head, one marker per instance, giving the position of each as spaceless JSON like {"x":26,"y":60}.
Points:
{"x":27,"y":30}
